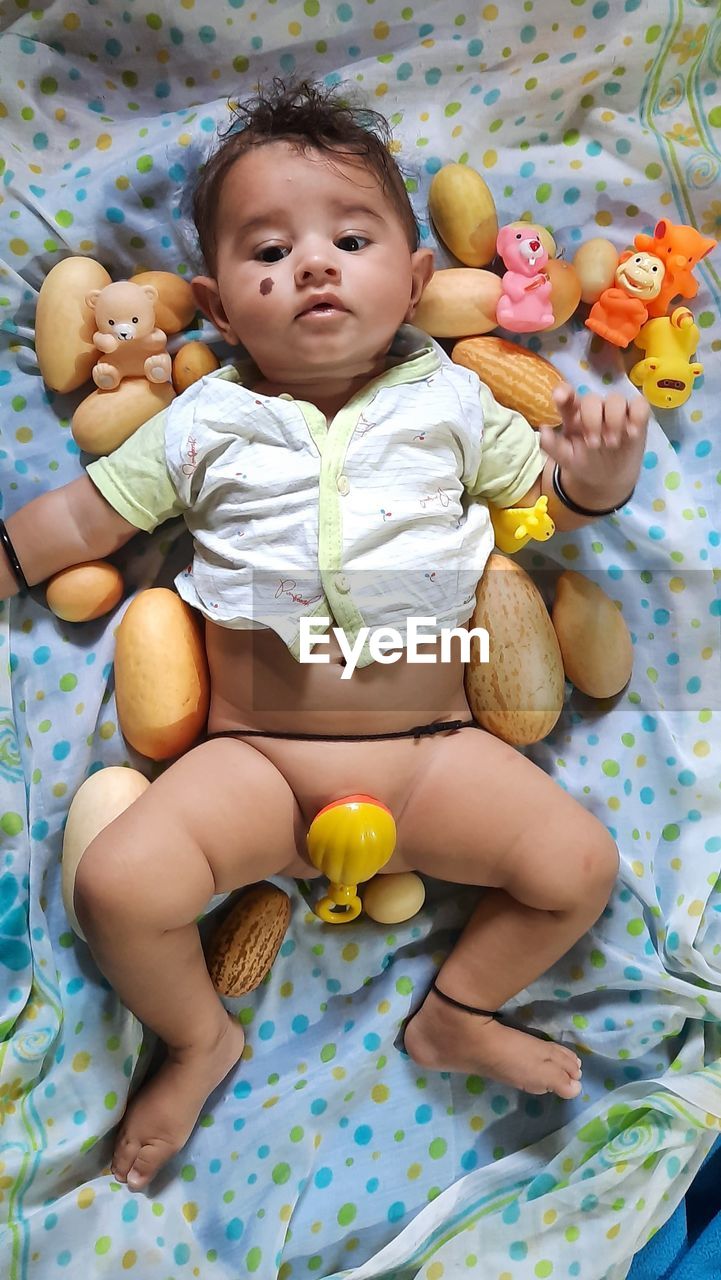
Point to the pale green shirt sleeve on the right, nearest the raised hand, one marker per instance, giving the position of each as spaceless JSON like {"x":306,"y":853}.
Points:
{"x":512,"y":459}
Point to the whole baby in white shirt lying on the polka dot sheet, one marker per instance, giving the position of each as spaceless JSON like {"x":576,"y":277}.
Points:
{"x":346,"y":479}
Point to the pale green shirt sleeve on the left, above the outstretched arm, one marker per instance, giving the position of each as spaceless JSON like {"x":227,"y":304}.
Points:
{"x":135,"y":479}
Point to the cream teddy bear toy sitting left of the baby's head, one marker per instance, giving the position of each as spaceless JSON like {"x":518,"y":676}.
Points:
{"x":127,"y":336}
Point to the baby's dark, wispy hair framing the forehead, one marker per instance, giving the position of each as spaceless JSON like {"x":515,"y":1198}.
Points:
{"x":308,"y":116}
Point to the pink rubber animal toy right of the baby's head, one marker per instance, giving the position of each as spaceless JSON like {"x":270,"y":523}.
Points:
{"x":524,"y":305}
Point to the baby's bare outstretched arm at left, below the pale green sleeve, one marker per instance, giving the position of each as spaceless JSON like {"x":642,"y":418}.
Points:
{"x":61,"y":528}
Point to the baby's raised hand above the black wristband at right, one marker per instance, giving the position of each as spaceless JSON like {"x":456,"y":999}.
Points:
{"x":599,"y":446}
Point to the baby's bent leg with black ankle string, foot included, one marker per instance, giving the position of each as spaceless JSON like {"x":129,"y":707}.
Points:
{"x":485,"y":815}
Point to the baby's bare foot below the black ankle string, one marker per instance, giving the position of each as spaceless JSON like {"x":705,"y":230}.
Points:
{"x":449,"y":1040}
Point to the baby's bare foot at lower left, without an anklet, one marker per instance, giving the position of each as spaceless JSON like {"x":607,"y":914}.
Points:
{"x":162,"y":1117}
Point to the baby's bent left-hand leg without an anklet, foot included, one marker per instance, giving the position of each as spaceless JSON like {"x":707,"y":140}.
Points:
{"x":218,"y":819}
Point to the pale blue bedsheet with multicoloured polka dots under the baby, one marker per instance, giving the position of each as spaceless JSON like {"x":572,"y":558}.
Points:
{"x":327,"y":1153}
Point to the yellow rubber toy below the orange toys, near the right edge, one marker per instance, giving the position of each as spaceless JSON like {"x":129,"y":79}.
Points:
{"x":667,"y":377}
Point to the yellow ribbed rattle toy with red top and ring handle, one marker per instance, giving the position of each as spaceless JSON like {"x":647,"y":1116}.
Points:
{"x":350,"y":840}
